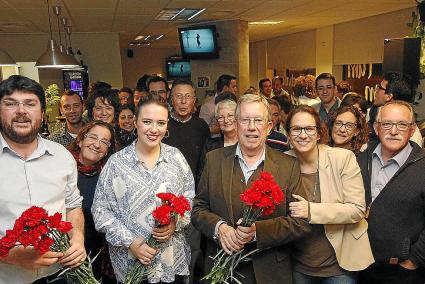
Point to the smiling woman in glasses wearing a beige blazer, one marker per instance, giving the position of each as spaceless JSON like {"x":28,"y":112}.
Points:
{"x":339,"y":244}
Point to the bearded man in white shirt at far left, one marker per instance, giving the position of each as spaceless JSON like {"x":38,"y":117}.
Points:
{"x":34,"y":172}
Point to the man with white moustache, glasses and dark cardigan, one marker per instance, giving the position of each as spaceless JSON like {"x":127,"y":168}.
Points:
{"x":393,"y":177}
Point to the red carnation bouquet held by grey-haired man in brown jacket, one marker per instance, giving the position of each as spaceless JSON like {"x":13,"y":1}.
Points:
{"x":260,"y":199}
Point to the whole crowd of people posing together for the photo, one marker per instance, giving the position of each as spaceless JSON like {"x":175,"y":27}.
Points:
{"x":351,"y":174}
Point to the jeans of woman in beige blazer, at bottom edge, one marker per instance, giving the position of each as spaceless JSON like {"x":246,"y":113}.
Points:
{"x":347,"y":278}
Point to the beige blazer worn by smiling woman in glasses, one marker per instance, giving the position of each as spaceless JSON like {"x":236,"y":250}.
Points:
{"x":342,"y":207}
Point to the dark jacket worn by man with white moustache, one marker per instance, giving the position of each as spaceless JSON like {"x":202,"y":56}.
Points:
{"x":397,"y":216}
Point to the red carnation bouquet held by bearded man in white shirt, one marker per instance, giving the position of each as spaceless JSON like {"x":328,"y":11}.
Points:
{"x":45,"y":233}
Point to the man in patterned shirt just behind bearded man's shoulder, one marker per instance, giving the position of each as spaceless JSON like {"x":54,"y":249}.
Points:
{"x":71,"y":106}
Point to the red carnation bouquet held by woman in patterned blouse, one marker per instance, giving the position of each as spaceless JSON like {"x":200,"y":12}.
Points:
{"x":172,"y":207}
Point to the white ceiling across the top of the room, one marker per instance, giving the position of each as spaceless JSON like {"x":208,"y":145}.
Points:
{"x":136,"y":17}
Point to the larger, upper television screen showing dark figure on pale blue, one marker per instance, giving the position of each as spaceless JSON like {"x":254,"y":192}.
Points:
{"x":199,"y":42}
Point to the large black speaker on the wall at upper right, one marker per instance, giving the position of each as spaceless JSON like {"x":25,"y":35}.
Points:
{"x":402,"y":55}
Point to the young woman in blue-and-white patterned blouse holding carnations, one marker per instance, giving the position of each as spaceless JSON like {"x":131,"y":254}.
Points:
{"x":125,"y":198}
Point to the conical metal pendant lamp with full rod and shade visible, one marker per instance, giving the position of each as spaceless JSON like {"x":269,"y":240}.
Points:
{"x":52,"y":57}
